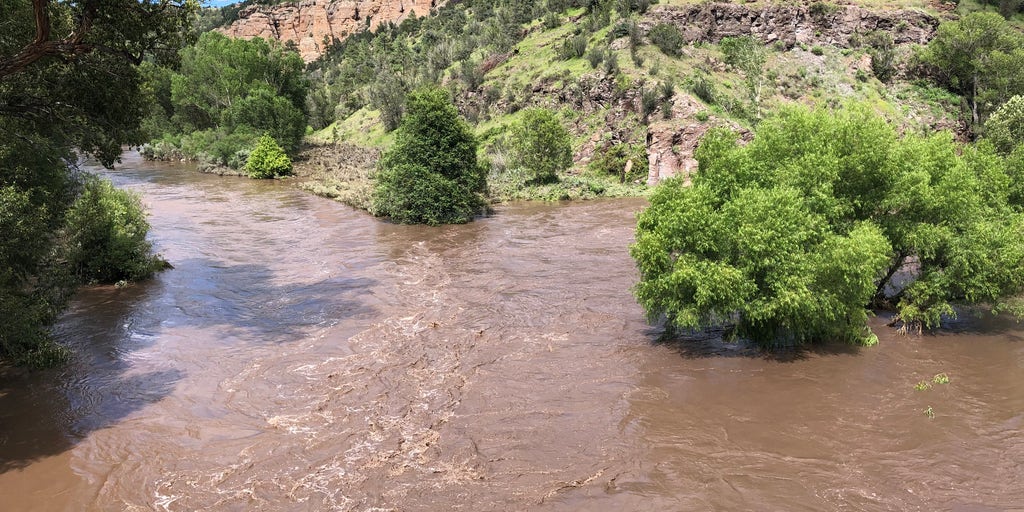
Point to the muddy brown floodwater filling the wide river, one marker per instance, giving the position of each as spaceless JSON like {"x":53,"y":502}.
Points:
{"x":305,"y":357}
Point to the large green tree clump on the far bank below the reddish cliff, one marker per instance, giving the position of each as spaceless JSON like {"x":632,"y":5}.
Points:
{"x":228,"y":94}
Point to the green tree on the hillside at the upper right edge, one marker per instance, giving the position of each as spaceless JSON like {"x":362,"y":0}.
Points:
{"x":978,"y":57}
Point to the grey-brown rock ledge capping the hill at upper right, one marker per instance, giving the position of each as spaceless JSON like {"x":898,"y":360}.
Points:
{"x":816,"y":24}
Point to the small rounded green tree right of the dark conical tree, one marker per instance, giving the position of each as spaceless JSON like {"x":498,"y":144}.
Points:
{"x":541,"y":146}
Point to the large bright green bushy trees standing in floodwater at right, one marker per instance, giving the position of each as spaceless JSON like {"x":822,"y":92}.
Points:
{"x":823,"y":216}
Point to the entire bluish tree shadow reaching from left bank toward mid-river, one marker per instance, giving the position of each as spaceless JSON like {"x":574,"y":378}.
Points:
{"x":47,"y":413}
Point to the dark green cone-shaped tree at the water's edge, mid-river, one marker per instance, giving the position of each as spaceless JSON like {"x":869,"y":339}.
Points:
{"x":431,"y":176}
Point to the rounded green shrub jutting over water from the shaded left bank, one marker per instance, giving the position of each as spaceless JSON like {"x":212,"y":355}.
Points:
{"x":107,"y":231}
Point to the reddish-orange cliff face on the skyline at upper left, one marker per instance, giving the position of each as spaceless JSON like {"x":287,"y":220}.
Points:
{"x":311,"y":23}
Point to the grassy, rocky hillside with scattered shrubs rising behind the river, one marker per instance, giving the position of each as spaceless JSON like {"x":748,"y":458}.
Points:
{"x":622,"y":98}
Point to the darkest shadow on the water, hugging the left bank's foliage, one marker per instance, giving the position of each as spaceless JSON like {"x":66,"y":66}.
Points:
{"x":47,"y":413}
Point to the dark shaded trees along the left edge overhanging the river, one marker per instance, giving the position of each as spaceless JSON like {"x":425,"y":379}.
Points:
{"x":68,"y":80}
